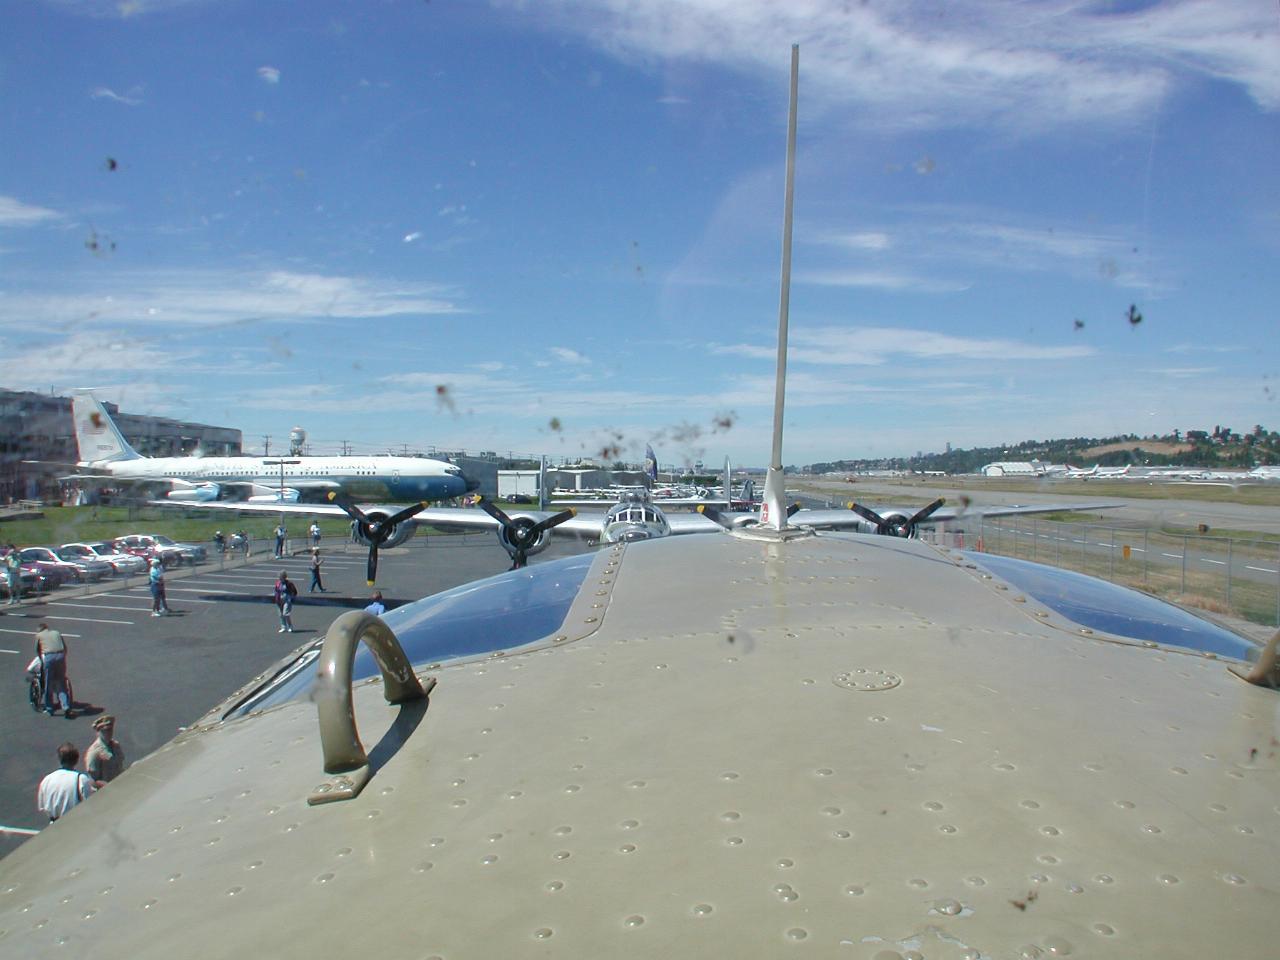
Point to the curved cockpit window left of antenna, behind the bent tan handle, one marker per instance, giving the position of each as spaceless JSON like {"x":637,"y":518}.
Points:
{"x":504,"y":612}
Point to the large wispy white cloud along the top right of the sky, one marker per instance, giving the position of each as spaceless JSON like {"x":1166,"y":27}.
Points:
{"x":912,"y":65}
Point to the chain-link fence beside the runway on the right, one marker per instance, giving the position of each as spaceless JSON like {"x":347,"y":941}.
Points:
{"x":1224,"y":575}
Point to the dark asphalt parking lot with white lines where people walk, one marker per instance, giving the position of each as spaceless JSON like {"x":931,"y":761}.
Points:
{"x":157,"y":675}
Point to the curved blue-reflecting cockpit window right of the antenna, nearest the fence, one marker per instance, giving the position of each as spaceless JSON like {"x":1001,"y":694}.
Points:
{"x":1116,"y":610}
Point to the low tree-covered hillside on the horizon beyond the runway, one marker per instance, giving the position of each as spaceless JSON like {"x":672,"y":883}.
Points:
{"x":1220,"y":447}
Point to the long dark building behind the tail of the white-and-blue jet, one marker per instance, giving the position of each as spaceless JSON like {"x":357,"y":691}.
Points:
{"x":38,"y":427}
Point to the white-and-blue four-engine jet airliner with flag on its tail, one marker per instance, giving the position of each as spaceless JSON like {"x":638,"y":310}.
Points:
{"x":106,"y":455}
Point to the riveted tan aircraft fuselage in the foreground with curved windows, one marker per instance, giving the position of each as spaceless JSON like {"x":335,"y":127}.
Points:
{"x":771,"y":742}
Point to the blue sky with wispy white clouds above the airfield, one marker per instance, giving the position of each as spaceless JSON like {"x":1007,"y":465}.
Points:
{"x":555,"y":227}
